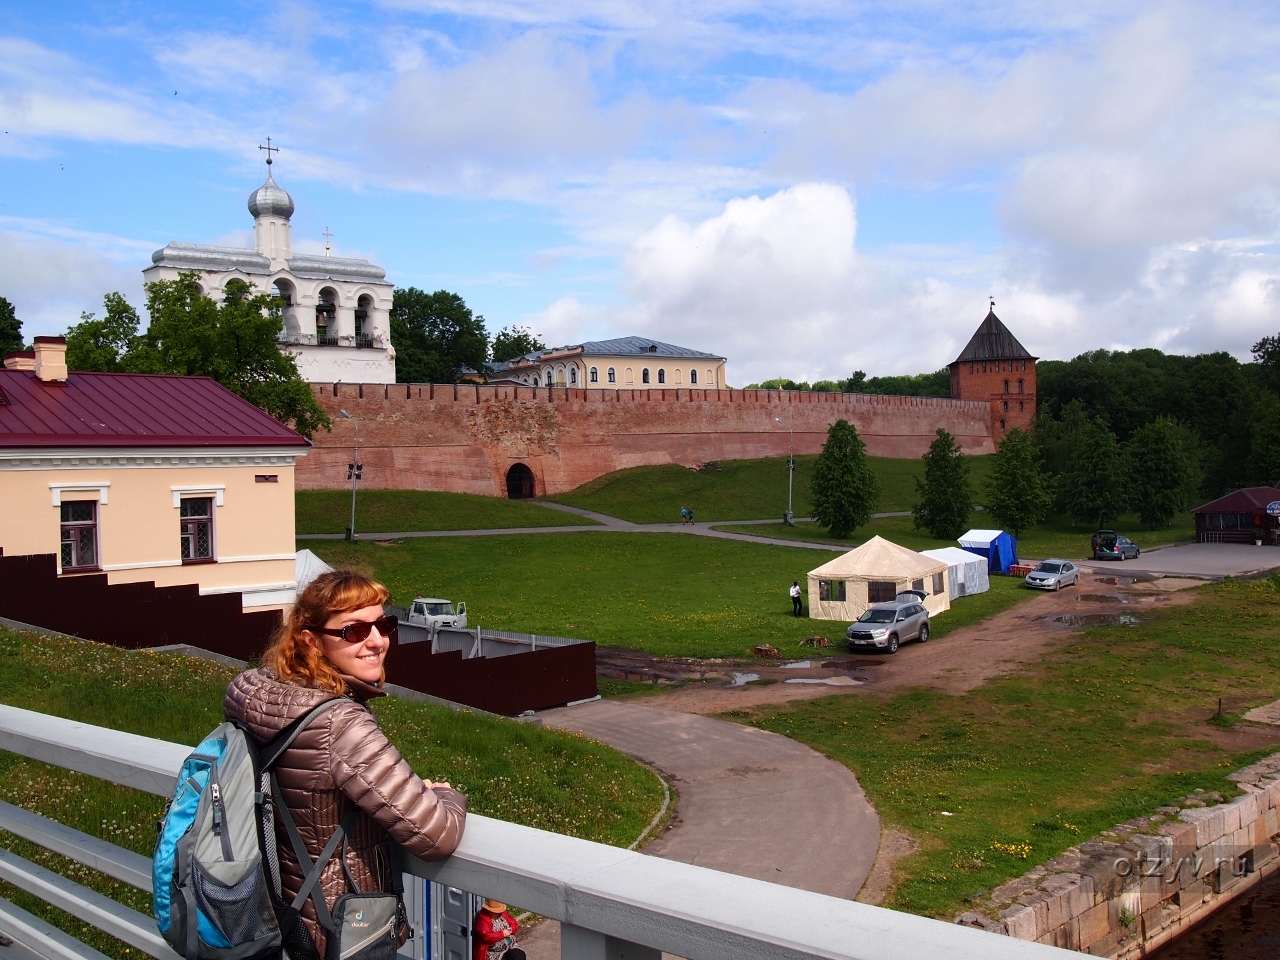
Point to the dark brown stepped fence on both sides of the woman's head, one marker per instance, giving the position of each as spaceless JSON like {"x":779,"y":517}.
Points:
{"x":144,"y":615}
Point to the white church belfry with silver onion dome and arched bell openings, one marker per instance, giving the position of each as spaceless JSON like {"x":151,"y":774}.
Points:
{"x":336,"y":310}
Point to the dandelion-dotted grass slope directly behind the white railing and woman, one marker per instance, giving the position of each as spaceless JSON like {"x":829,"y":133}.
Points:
{"x":514,"y":771}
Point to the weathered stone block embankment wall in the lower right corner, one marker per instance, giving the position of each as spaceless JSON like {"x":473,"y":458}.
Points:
{"x":1140,"y":885}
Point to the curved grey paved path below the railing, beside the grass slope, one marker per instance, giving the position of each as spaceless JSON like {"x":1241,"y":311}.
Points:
{"x":751,"y":803}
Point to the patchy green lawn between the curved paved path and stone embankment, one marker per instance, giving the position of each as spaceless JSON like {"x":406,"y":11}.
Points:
{"x":1012,"y":774}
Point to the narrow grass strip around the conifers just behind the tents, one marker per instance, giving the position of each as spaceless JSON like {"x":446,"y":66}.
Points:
{"x":1057,"y":538}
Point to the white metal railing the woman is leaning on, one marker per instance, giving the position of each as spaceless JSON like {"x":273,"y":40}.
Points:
{"x":612,"y":904}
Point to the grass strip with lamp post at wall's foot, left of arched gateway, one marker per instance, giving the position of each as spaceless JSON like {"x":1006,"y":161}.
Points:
{"x":405,"y":511}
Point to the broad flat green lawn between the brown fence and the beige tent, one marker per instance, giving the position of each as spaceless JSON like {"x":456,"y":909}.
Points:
{"x":668,"y":595}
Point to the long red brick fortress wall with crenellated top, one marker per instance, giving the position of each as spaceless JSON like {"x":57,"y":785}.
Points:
{"x":465,"y":438}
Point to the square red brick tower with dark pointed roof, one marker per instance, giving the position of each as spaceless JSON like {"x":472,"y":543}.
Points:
{"x":998,"y":369}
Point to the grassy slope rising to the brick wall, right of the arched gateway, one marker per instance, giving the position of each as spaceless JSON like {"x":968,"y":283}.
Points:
{"x":739,"y":490}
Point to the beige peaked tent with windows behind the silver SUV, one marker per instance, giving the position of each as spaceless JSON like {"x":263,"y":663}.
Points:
{"x":872,"y":574}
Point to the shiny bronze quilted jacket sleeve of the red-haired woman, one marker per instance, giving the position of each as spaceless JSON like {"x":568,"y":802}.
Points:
{"x":427,"y":822}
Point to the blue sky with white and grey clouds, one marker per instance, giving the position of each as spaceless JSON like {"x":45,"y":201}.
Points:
{"x":807,"y":188}
